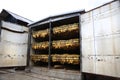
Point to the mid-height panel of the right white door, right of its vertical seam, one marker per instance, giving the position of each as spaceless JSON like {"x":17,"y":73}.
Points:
{"x":104,"y":45}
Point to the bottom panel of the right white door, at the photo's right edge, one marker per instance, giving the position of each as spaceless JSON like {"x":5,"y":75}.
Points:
{"x":106,"y":65}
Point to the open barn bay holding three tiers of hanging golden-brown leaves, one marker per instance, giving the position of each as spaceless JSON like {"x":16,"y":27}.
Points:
{"x":63,"y":44}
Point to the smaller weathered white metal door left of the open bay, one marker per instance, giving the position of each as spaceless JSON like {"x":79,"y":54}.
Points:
{"x":13,"y":48}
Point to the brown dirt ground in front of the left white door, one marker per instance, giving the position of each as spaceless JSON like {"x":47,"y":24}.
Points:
{"x":22,"y":75}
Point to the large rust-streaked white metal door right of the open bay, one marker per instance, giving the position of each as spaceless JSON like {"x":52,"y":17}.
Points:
{"x":101,"y":40}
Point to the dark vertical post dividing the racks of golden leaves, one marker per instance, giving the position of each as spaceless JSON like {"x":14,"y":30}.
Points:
{"x":50,"y":44}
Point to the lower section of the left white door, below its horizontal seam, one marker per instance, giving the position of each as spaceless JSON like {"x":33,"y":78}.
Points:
{"x":13,"y":55}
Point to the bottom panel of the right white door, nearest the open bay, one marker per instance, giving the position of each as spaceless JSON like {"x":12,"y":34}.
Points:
{"x":88,"y":64}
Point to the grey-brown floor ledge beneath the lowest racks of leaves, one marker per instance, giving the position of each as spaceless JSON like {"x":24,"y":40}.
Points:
{"x":60,"y":73}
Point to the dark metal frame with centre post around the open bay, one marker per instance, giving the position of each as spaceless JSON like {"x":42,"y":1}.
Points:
{"x":49,"y":21}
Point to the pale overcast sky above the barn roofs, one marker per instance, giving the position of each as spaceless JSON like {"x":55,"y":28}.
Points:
{"x":38,"y":9}
